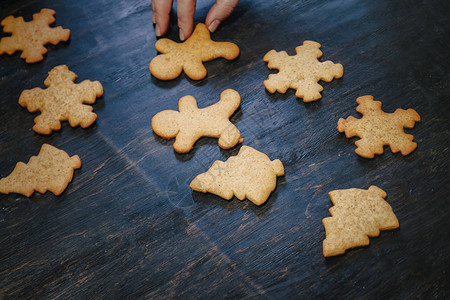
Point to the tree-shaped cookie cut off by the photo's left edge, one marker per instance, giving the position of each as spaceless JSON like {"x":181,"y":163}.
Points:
{"x":51,"y":170}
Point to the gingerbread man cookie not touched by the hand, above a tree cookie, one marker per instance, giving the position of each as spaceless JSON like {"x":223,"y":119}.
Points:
{"x":191,"y":123}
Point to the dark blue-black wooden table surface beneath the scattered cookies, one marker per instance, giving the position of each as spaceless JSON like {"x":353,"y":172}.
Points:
{"x":128,"y":226}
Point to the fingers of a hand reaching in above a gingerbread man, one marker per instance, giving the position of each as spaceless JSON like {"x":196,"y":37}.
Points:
{"x":185,"y":11}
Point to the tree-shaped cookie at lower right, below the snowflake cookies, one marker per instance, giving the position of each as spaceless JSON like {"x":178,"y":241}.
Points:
{"x":356,"y":215}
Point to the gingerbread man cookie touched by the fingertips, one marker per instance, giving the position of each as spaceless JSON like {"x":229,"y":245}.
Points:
{"x":189,"y":55}
